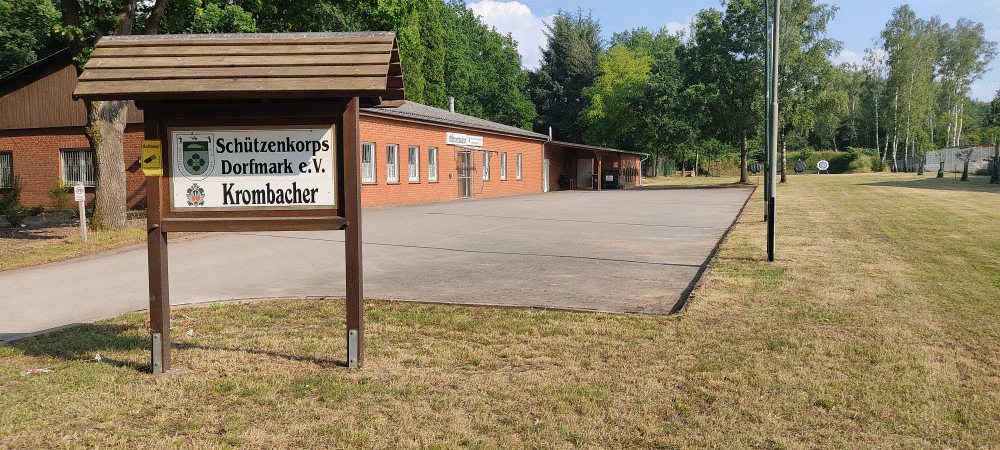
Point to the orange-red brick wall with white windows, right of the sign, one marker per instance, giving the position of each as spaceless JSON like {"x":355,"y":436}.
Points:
{"x":382,"y":131}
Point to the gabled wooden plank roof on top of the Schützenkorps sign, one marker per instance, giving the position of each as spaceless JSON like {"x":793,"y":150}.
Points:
{"x":238,"y":66}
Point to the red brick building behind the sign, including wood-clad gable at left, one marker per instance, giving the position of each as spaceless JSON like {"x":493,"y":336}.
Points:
{"x":411,"y":153}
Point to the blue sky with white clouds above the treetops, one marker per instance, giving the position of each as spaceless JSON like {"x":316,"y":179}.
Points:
{"x":856,"y":24}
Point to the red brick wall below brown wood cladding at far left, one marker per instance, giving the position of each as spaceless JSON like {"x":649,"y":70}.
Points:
{"x":36,"y":158}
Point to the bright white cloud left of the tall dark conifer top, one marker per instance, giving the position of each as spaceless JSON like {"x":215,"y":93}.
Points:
{"x":517,"y":19}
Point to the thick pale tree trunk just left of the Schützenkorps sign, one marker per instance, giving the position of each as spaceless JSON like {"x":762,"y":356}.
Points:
{"x":106,"y":132}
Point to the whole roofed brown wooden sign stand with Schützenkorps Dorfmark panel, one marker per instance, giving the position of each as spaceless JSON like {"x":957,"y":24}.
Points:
{"x":263,"y":139}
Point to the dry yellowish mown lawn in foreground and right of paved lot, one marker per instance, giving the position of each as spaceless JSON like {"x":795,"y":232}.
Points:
{"x":878,"y":327}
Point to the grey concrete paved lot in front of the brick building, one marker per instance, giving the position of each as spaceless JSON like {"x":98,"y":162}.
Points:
{"x":617,"y":251}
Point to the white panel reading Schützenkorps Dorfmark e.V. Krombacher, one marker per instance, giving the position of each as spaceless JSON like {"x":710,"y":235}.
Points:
{"x":253,"y":169}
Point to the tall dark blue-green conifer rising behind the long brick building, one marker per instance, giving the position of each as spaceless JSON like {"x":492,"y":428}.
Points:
{"x":570,"y":63}
